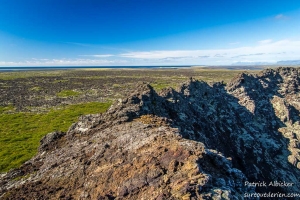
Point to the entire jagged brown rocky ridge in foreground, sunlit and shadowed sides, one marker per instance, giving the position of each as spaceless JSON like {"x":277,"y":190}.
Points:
{"x":201,"y":141}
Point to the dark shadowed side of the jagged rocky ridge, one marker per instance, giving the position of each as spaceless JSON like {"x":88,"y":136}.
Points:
{"x":238,"y":120}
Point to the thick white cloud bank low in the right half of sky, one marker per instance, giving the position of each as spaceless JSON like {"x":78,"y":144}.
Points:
{"x":265,"y":51}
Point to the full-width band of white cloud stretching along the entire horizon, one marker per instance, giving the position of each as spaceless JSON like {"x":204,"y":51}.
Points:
{"x":263,"y":51}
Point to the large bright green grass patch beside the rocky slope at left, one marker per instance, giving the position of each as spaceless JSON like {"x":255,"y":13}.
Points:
{"x":20,"y":133}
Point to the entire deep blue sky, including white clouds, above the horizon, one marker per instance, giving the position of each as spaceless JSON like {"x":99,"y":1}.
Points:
{"x":147,"y":32}
